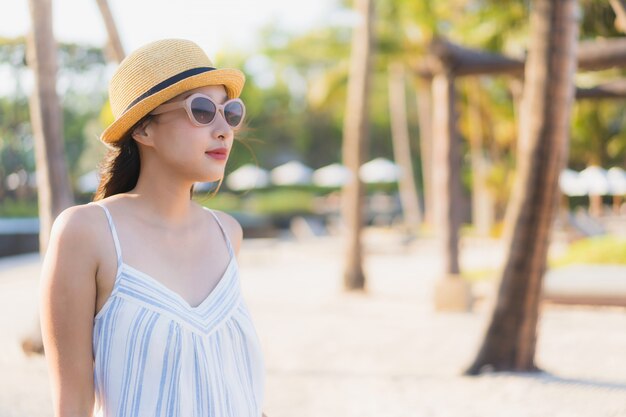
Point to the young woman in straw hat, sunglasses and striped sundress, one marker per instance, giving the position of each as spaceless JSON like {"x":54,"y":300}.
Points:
{"x":142,"y":314}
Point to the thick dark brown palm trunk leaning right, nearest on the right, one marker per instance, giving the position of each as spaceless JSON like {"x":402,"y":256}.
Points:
{"x":510,"y":340}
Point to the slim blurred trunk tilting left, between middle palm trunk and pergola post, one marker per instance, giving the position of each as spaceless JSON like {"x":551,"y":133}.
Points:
{"x":402,"y":148}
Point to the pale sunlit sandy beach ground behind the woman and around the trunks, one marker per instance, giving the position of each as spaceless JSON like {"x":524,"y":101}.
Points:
{"x":384,"y":352}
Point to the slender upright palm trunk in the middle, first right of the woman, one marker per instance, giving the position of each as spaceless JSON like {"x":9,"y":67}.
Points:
{"x":355,"y":139}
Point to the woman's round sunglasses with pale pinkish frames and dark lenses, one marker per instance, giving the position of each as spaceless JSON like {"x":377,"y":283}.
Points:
{"x":202,"y":110}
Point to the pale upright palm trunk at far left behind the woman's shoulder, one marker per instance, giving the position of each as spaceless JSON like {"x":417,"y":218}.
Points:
{"x":53,"y":184}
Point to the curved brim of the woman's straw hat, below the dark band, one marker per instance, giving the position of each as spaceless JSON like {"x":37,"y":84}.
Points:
{"x":232,"y":79}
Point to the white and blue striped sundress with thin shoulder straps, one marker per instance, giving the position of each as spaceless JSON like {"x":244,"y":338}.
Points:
{"x":156,"y":355}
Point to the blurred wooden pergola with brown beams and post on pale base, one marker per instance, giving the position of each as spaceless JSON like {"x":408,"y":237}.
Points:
{"x":444,"y":64}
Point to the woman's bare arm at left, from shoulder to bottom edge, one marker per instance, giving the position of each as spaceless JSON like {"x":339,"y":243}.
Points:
{"x":67,"y":304}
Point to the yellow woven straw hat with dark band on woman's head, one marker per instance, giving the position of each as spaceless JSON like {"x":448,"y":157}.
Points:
{"x":157,"y":72}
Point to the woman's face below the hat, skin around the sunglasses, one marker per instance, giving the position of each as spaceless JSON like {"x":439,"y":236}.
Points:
{"x":183,"y":147}
